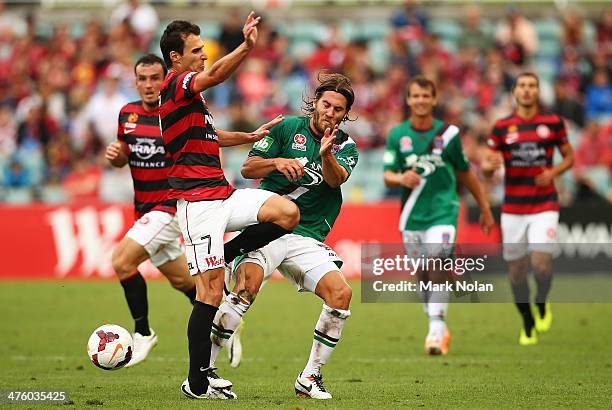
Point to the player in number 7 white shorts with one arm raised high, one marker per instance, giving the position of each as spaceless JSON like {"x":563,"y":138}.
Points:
{"x":208,"y":205}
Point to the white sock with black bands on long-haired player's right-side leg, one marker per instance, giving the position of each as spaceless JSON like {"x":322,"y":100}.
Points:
{"x":326,"y":336}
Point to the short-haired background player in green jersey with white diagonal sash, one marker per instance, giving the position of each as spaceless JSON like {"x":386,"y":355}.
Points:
{"x":424,"y":156}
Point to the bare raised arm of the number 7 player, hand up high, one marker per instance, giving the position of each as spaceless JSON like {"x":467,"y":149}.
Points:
{"x":225,"y":66}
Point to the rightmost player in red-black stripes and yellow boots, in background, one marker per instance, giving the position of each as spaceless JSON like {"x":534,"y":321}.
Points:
{"x":525,"y":143}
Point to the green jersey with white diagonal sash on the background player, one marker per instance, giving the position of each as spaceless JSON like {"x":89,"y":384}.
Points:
{"x":436,"y":154}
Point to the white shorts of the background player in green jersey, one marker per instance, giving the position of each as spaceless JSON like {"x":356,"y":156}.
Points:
{"x":435,"y":241}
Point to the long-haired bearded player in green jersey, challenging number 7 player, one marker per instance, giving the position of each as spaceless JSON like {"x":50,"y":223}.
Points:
{"x":305,"y":159}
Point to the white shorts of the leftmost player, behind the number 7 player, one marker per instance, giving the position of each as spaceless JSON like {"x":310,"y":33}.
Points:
{"x":158,"y":232}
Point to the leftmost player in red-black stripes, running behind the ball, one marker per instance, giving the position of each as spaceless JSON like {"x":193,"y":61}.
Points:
{"x":155,"y":235}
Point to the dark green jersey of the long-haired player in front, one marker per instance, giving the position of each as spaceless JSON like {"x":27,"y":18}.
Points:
{"x":318,"y":202}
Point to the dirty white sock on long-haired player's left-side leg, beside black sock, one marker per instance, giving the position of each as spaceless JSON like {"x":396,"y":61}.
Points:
{"x":225,"y":323}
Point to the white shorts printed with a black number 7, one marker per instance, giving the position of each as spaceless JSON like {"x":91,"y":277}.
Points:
{"x":204,"y":223}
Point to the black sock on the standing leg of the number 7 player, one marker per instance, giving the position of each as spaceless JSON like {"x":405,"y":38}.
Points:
{"x":198,"y":334}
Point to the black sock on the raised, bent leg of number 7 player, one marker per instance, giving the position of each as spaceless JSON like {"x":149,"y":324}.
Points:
{"x":253,"y":237}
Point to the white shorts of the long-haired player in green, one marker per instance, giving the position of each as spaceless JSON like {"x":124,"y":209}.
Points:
{"x":303,"y":261}
